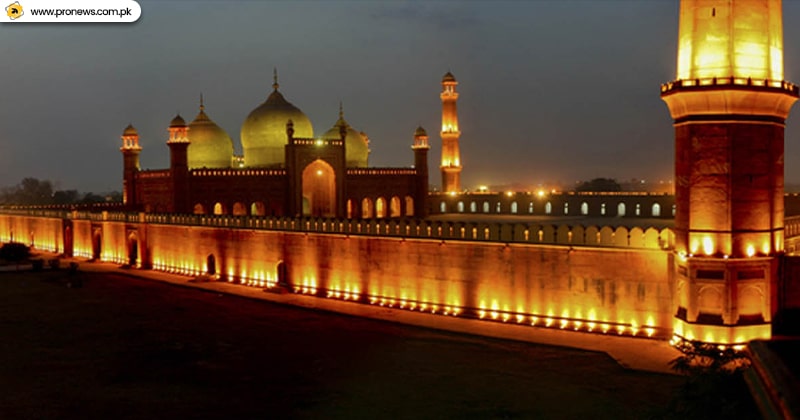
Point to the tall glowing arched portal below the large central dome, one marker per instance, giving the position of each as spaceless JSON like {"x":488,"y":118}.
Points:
{"x":319,"y":189}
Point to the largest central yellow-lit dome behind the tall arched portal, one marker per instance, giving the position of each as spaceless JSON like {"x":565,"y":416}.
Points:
{"x":264,"y":130}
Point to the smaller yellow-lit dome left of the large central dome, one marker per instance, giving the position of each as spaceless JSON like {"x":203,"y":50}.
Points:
{"x":209,"y":145}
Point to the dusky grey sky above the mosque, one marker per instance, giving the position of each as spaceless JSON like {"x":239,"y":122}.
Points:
{"x":550,"y":90}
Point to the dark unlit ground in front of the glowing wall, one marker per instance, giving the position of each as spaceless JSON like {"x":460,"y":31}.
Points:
{"x":124,"y":347}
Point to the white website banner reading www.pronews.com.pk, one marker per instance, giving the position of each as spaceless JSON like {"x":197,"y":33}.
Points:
{"x":71,"y":11}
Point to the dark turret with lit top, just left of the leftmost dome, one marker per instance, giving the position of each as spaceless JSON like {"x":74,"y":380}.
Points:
{"x":179,"y":163}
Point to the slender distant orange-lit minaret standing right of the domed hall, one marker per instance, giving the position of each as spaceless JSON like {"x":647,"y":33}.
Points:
{"x":451,"y":160}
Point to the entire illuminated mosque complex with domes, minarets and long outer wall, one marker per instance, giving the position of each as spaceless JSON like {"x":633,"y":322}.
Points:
{"x":324,"y":223}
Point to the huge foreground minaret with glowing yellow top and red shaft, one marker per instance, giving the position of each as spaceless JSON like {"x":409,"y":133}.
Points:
{"x":729,"y":104}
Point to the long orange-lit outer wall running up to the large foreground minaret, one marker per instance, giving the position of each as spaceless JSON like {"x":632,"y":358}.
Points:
{"x":611,"y":290}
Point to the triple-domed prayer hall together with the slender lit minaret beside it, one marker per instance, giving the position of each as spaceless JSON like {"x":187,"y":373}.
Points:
{"x":284,"y":170}
